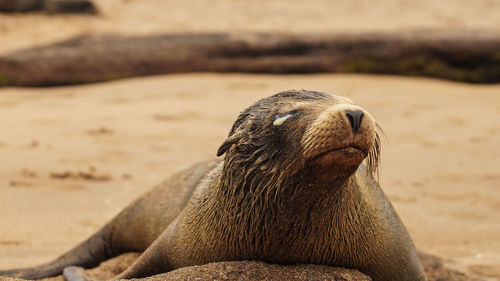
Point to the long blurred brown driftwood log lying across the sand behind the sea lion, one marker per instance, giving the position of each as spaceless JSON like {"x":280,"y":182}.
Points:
{"x":462,"y":56}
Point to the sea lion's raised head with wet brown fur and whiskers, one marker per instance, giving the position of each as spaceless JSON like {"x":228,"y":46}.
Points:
{"x":293,"y":133}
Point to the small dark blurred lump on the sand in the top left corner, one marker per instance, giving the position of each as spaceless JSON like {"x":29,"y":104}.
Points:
{"x":50,"y":6}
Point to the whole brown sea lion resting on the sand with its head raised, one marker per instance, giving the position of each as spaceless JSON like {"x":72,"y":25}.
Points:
{"x":296,"y":185}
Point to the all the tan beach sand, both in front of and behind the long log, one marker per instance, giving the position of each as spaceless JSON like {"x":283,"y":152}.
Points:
{"x":73,"y":157}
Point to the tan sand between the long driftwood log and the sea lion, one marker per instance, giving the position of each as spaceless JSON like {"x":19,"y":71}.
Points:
{"x":439,"y":163}
